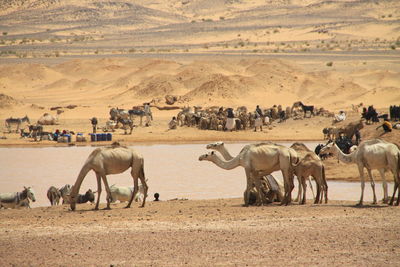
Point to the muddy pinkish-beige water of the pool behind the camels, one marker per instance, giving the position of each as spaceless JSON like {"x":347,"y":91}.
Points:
{"x":172,"y":170}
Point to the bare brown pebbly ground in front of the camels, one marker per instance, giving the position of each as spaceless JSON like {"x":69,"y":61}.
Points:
{"x":202,"y":233}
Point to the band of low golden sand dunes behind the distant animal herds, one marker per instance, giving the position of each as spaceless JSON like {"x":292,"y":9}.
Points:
{"x":239,"y":81}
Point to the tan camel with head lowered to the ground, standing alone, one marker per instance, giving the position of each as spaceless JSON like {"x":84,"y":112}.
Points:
{"x":112,"y":159}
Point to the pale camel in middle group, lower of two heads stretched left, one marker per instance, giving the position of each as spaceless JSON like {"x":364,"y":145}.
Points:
{"x":259,"y":160}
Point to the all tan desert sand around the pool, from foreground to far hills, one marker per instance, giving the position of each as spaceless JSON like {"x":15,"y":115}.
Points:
{"x":85,"y":57}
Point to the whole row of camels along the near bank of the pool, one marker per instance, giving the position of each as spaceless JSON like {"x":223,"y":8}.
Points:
{"x":258,"y":160}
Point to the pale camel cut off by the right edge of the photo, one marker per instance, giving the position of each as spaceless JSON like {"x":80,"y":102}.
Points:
{"x":372,"y":154}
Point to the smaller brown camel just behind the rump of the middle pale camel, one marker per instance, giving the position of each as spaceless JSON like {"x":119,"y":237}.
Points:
{"x":310,"y":165}
